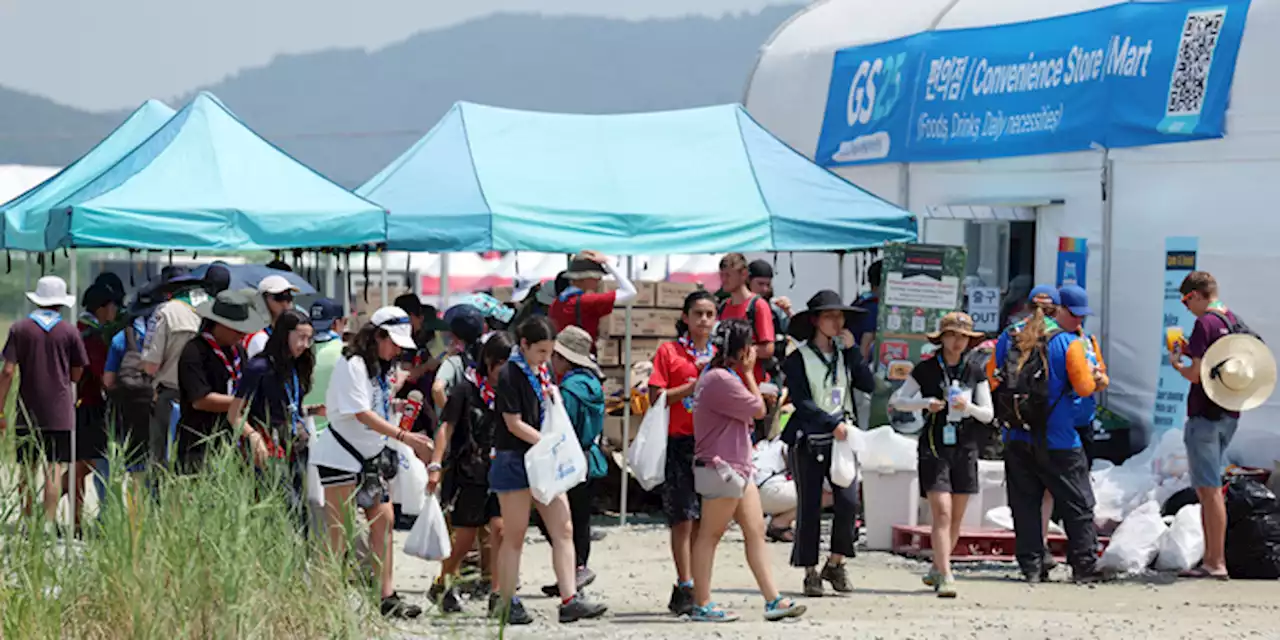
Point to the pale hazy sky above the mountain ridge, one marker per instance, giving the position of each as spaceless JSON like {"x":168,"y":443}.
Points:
{"x":109,"y":54}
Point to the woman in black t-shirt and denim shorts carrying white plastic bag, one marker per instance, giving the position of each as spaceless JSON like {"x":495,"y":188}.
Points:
{"x":527,"y":397}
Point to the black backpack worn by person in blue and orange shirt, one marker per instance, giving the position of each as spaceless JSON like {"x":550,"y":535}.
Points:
{"x":1022,"y":399}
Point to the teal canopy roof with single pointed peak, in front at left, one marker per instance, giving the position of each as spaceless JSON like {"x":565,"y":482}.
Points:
{"x":205,"y":181}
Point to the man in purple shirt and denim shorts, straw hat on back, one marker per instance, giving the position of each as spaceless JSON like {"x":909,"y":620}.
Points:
{"x":1231,"y":372}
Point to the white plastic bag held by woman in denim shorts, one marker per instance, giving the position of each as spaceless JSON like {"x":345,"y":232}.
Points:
{"x":557,"y":463}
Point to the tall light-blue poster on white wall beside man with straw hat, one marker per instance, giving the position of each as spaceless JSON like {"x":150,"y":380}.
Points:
{"x":1171,"y":410}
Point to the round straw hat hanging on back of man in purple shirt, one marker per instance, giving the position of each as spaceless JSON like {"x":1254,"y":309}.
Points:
{"x":1238,"y":373}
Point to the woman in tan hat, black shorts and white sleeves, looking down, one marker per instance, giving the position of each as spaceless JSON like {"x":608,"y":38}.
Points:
{"x":954,"y":392}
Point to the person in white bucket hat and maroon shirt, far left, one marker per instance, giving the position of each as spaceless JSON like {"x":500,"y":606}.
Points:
{"x":51,"y":355}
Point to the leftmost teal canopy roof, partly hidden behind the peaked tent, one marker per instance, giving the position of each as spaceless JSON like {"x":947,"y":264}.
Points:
{"x":28,"y":216}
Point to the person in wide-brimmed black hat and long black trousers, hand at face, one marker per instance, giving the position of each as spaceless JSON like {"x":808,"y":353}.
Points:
{"x":821,"y":377}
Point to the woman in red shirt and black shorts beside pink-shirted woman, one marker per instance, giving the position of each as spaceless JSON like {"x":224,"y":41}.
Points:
{"x":675,"y":371}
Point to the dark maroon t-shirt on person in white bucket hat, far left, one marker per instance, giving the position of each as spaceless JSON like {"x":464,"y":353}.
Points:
{"x":45,"y":363}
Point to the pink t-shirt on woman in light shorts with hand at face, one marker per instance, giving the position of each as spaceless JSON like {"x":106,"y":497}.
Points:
{"x":724,"y":414}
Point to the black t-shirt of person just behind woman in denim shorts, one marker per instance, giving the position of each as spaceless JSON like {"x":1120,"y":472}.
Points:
{"x":474,"y":427}
